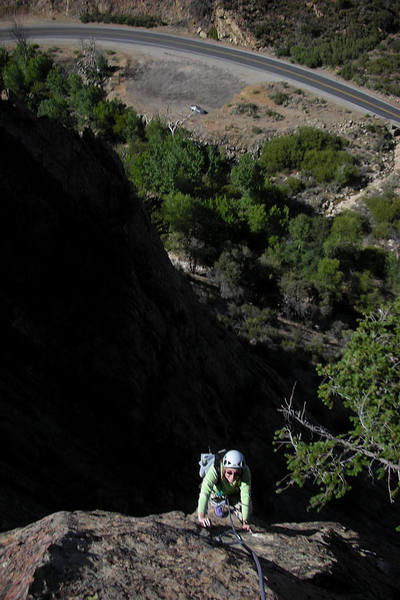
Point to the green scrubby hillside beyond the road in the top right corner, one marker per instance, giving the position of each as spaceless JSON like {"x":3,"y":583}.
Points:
{"x":360,"y":39}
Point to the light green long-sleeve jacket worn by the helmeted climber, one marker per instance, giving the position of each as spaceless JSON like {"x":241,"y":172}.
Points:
{"x":211,"y":486}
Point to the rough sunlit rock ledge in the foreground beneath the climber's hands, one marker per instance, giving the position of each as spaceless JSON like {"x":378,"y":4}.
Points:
{"x":101,"y":555}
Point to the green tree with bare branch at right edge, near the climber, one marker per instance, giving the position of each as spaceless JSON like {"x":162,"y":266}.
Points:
{"x":366,"y":382}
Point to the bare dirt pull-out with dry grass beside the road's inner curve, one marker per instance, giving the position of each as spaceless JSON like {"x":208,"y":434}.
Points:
{"x":244,"y":107}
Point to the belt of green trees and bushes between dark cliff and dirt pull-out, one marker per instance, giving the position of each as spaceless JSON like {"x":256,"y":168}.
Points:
{"x":240,"y":218}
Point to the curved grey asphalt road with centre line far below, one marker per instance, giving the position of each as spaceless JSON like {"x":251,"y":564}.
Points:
{"x":286,"y":71}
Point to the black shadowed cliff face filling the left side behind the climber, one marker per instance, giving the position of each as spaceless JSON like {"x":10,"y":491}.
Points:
{"x":113,"y":378}
